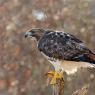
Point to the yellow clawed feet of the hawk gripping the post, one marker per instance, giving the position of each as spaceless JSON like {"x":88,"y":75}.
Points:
{"x":55,"y":77}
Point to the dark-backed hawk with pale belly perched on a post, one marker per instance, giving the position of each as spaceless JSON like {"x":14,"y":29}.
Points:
{"x":63,"y":50}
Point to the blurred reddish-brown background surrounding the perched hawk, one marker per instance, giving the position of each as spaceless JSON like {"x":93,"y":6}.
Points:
{"x":22,"y":67}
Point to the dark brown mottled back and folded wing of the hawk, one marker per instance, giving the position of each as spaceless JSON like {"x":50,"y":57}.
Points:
{"x":64,"y":46}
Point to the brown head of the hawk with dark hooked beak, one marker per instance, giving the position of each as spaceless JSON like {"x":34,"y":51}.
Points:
{"x":35,"y":33}
